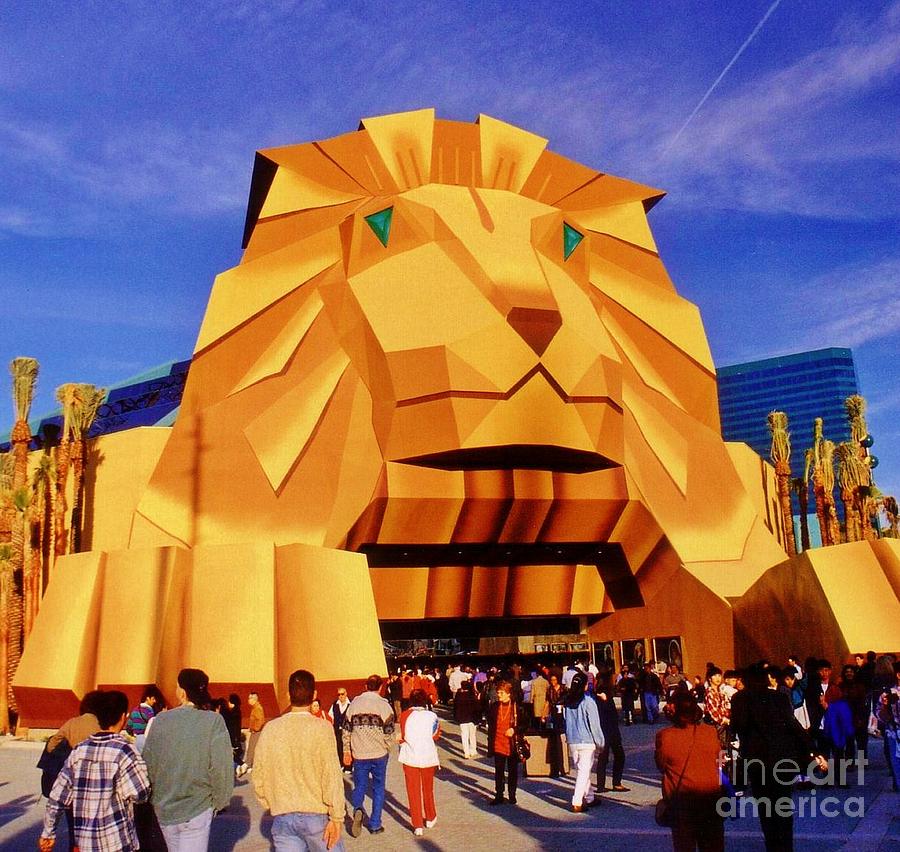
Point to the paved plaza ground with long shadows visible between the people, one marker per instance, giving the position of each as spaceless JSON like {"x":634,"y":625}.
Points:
{"x":540,"y":821}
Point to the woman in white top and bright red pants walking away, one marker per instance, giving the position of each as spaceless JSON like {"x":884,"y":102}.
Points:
{"x":419,"y":728}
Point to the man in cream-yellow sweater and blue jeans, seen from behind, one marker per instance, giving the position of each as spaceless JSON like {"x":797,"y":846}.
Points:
{"x":297,"y":776}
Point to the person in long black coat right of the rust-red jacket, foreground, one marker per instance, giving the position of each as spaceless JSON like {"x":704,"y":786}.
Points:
{"x":770,"y":734}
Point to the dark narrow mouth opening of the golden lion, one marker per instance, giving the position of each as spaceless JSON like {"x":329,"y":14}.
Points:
{"x":515,"y":456}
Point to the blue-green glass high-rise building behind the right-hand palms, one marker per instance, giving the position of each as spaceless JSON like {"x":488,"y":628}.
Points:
{"x":805,"y":386}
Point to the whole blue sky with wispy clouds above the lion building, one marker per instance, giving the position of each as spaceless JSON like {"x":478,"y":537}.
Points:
{"x":127,"y":134}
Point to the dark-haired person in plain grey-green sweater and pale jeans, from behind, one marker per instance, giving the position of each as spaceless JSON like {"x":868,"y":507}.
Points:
{"x":188,"y":754}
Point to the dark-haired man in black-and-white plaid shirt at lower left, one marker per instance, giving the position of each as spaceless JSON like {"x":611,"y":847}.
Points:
{"x":101,"y":780}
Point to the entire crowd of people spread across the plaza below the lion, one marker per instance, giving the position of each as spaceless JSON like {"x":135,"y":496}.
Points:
{"x":153,"y":778}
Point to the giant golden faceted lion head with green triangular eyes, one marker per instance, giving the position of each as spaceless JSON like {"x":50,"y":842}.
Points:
{"x":460,"y":353}
